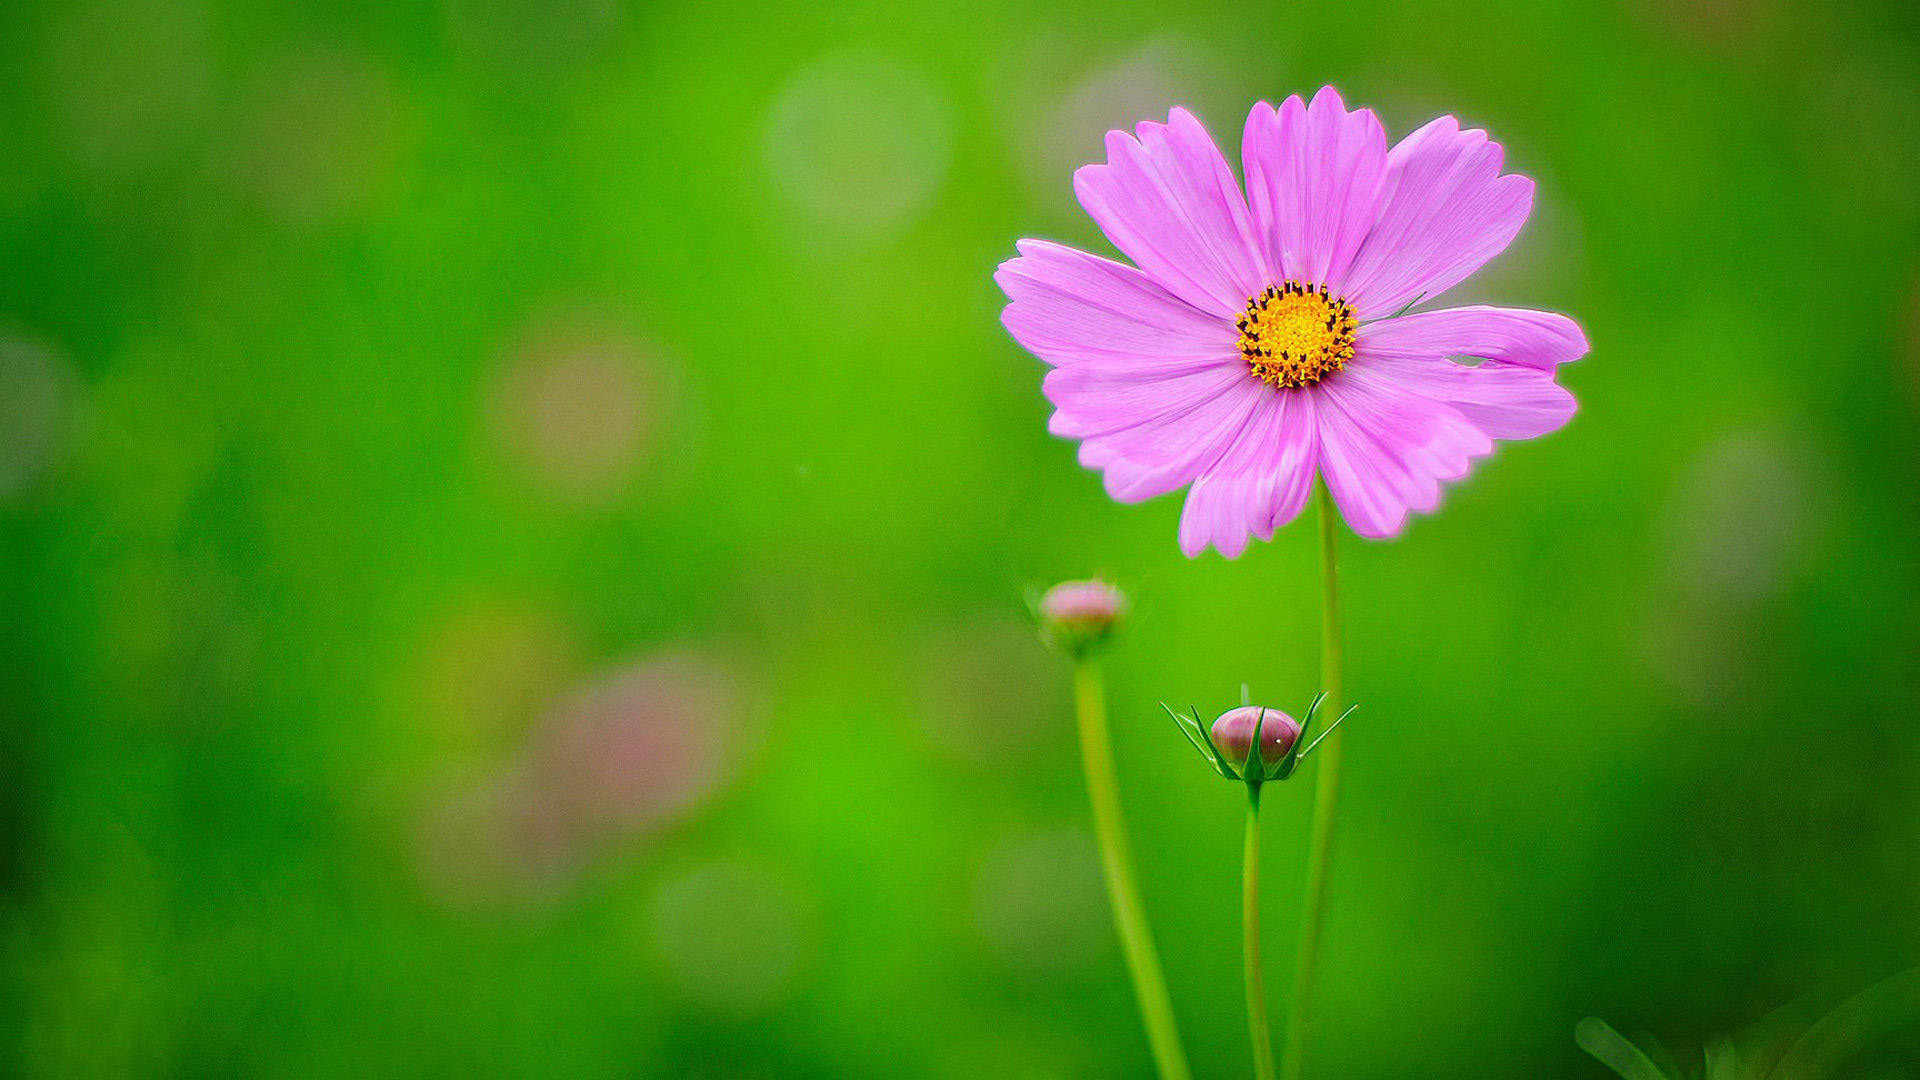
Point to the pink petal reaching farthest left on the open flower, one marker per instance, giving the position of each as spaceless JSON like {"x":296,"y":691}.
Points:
{"x":1076,"y":308}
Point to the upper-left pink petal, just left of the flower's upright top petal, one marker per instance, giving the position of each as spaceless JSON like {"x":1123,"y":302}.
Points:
{"x":1170,"y":203}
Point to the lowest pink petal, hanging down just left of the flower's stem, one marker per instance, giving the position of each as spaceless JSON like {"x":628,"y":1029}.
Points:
{"x":1259,"y":485}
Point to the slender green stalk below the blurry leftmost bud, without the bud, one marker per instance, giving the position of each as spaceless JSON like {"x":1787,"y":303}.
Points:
{"x":1122,"y":891}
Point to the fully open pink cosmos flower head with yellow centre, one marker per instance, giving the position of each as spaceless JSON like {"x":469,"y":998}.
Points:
{"x":1262,"y":339}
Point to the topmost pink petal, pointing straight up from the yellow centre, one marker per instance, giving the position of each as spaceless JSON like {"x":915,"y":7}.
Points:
{"x":1314,"y":182}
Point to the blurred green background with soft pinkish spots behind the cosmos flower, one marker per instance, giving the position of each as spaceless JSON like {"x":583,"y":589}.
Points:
{"x":512,"y":526}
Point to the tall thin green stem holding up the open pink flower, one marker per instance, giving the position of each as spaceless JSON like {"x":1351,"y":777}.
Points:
{"x":1326,"y":795}
